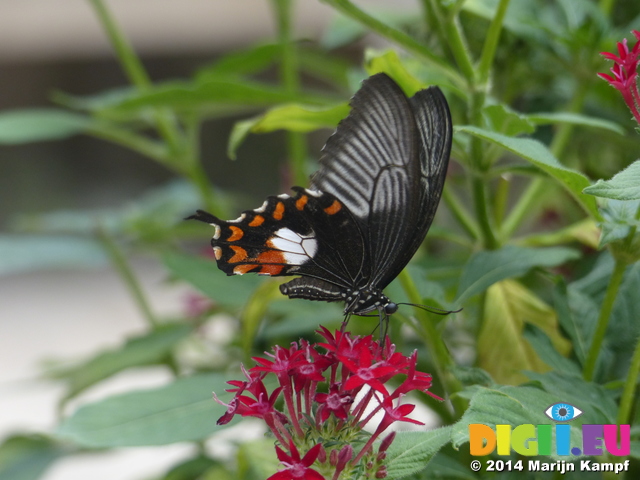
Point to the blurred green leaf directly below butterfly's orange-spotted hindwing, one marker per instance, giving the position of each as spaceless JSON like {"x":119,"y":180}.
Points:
{"x":203,"y":274}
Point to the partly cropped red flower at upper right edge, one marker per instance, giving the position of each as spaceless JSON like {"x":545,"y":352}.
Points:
{"x":625,"y":74}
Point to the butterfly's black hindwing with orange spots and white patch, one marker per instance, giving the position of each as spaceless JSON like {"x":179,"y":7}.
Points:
{"x":310,"y":234}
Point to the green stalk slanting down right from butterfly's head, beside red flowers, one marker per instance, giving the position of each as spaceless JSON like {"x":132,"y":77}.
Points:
{"x":439,"y":352}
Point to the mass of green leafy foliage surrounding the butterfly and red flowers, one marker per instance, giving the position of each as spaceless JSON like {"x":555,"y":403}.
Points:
{"x":544,"y":161}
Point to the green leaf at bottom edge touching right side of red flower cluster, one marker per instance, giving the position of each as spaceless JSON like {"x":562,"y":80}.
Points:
{"x":410,"y":452}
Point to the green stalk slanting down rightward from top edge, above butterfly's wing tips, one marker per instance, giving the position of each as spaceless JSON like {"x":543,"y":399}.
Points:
{"x":398,"y":37}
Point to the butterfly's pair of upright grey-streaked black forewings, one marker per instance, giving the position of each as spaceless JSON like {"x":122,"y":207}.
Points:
{"x":383,"y":164}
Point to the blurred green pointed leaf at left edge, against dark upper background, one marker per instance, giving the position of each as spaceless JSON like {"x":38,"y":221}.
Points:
{"x":36,"y":125}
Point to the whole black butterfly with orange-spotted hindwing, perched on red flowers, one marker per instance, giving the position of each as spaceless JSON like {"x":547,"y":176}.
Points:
{"x":366,"y":212}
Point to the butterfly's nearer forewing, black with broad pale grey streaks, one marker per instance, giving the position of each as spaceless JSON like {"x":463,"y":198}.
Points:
{"x":372,"y":164}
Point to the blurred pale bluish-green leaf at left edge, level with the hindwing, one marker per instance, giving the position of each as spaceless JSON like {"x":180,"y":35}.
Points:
{"x":23,"y":253}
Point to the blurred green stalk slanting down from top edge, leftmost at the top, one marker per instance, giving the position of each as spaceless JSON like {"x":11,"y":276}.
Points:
{"x":133,"y":68}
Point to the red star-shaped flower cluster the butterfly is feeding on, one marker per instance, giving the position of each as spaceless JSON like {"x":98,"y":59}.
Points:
{"x":326,"y":423}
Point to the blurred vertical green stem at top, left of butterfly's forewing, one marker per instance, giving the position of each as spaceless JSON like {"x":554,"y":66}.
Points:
{"x":290,"y":77}
